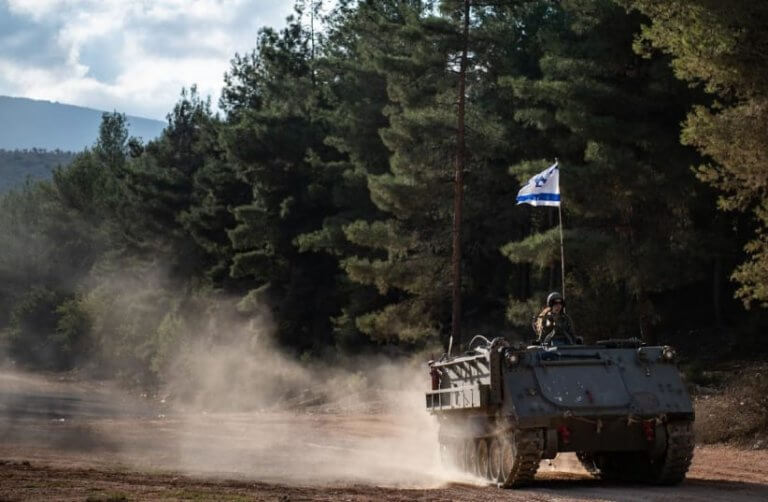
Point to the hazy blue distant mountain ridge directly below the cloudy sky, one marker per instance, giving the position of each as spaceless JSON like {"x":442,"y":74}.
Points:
{"x":28,"y":123}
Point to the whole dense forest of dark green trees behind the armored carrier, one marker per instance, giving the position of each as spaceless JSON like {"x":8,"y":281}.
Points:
{"x":320,"y":191}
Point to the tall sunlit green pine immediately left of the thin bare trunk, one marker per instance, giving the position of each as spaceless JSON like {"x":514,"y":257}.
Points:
{"x":411,"y":265}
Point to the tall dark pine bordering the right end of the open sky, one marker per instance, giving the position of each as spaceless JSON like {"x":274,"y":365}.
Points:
{"x":270,"y":137}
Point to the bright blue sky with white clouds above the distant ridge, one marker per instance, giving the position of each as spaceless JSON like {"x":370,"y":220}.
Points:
{"x":130,"y":55}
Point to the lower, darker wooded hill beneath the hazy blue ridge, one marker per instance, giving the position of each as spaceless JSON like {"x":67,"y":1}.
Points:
{"x":18,"y":166}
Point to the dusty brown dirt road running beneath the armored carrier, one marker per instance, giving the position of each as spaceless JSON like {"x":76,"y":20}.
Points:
{"x":86,"y":441}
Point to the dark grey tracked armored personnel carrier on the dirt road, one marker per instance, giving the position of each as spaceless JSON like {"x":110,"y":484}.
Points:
{"x":620,"y":405}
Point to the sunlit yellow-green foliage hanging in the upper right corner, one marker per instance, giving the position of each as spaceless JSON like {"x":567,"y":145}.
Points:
{"x":722,"y":45}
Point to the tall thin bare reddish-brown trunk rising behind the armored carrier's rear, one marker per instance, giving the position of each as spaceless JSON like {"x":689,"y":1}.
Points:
{"x":458,"y":184}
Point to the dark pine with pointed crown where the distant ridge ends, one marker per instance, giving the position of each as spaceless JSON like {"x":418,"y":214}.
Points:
{"x":178,"y":188}
